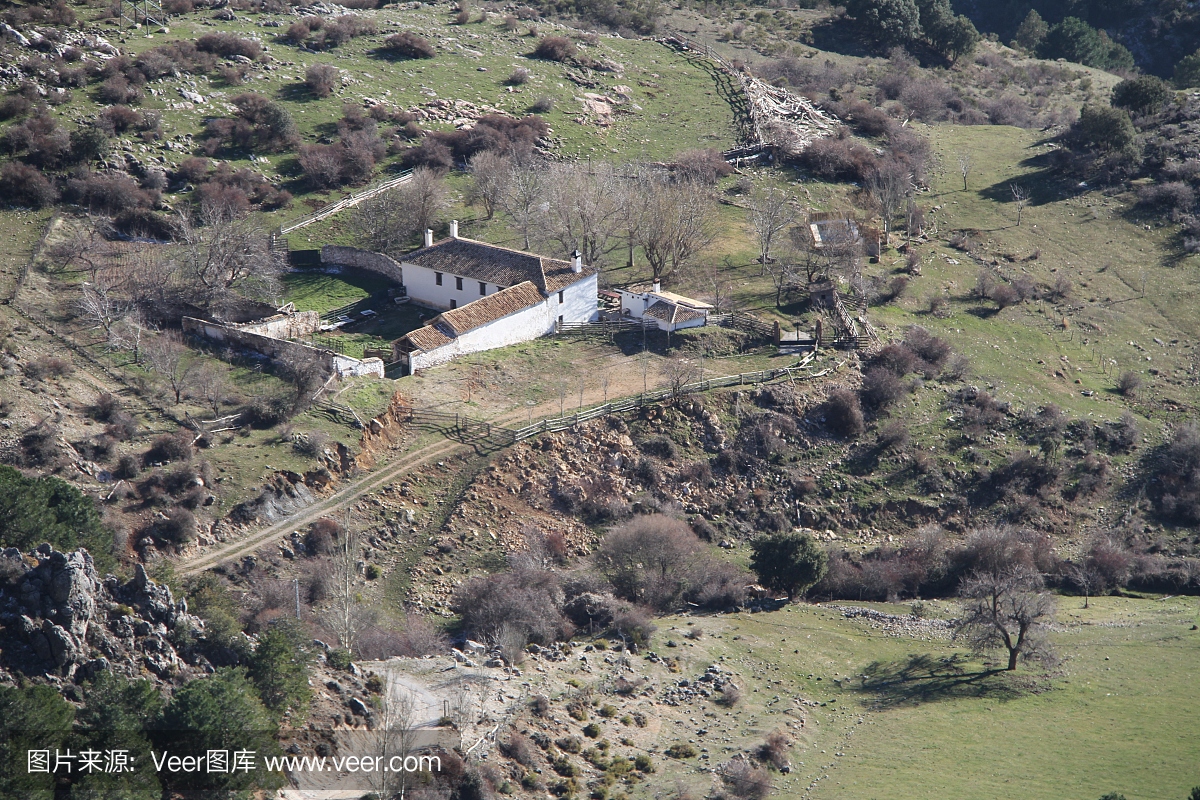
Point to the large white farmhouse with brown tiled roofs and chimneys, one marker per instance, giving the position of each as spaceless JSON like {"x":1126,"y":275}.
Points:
{"x":493,"y":297}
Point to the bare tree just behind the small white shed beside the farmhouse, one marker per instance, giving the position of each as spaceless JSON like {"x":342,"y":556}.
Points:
{"x":679,"y":225}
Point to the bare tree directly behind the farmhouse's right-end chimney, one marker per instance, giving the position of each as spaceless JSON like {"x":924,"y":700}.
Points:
{"x":584,"y":210}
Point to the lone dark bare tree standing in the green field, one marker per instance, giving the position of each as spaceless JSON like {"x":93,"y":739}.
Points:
{"x":1007,"y":610}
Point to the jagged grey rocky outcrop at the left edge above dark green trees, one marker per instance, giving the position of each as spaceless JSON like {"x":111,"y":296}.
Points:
{"x":59,"y":618}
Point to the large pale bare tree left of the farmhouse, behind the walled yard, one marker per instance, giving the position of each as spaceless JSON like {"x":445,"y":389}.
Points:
{"x":227,"y":254}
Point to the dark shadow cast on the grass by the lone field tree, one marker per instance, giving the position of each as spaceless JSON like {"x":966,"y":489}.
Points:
{"x":920,"y":679}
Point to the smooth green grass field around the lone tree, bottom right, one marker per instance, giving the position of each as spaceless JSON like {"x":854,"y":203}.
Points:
{"x":1117,"y":717}
